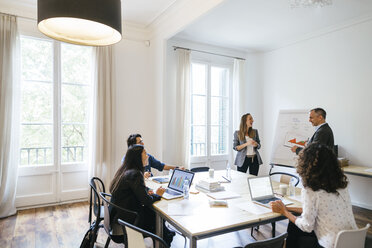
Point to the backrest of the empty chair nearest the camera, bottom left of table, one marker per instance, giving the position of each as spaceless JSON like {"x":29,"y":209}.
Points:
{"x":135,"y":236}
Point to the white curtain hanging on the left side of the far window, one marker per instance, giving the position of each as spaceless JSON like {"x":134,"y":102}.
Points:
{"x":183,"y":107}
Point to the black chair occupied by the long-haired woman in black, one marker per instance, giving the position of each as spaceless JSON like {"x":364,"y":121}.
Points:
{"x":113,"y":230}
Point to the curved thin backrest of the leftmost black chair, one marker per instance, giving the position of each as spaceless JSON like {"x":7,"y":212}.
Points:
{"x":96,"y":186}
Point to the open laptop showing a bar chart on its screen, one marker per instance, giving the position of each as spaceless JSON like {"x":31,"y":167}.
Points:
{"x":175,"y":185}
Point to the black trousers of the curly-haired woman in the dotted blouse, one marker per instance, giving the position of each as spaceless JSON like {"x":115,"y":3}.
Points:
{"x":299,"y":239}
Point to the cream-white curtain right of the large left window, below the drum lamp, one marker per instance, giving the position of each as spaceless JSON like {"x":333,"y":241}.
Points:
{"x":103,"y":155}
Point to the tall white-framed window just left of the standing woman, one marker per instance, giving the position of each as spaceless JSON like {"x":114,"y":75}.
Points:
{"x":210,"y":118}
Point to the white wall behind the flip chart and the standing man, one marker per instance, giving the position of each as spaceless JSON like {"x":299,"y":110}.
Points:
{"x":332,"y":71}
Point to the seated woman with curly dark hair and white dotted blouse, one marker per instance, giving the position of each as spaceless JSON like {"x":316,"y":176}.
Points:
{"x":326,"y":202}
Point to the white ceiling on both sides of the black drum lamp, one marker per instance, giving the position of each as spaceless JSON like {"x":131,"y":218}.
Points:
{"x":140,"y":12}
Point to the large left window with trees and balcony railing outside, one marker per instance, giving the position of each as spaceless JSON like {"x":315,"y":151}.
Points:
{"x":55,"y":100}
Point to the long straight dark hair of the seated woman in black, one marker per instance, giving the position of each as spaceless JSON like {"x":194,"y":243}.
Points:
{"x":132,"y":161}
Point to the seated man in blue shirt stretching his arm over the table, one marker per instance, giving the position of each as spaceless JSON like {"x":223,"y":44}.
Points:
{"x":136,"y":138}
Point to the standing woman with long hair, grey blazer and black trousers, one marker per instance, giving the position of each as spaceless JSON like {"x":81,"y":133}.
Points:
{"x":247,"y":143}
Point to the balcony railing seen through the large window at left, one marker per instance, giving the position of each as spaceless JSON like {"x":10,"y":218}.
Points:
{"x":44,"y":155}
